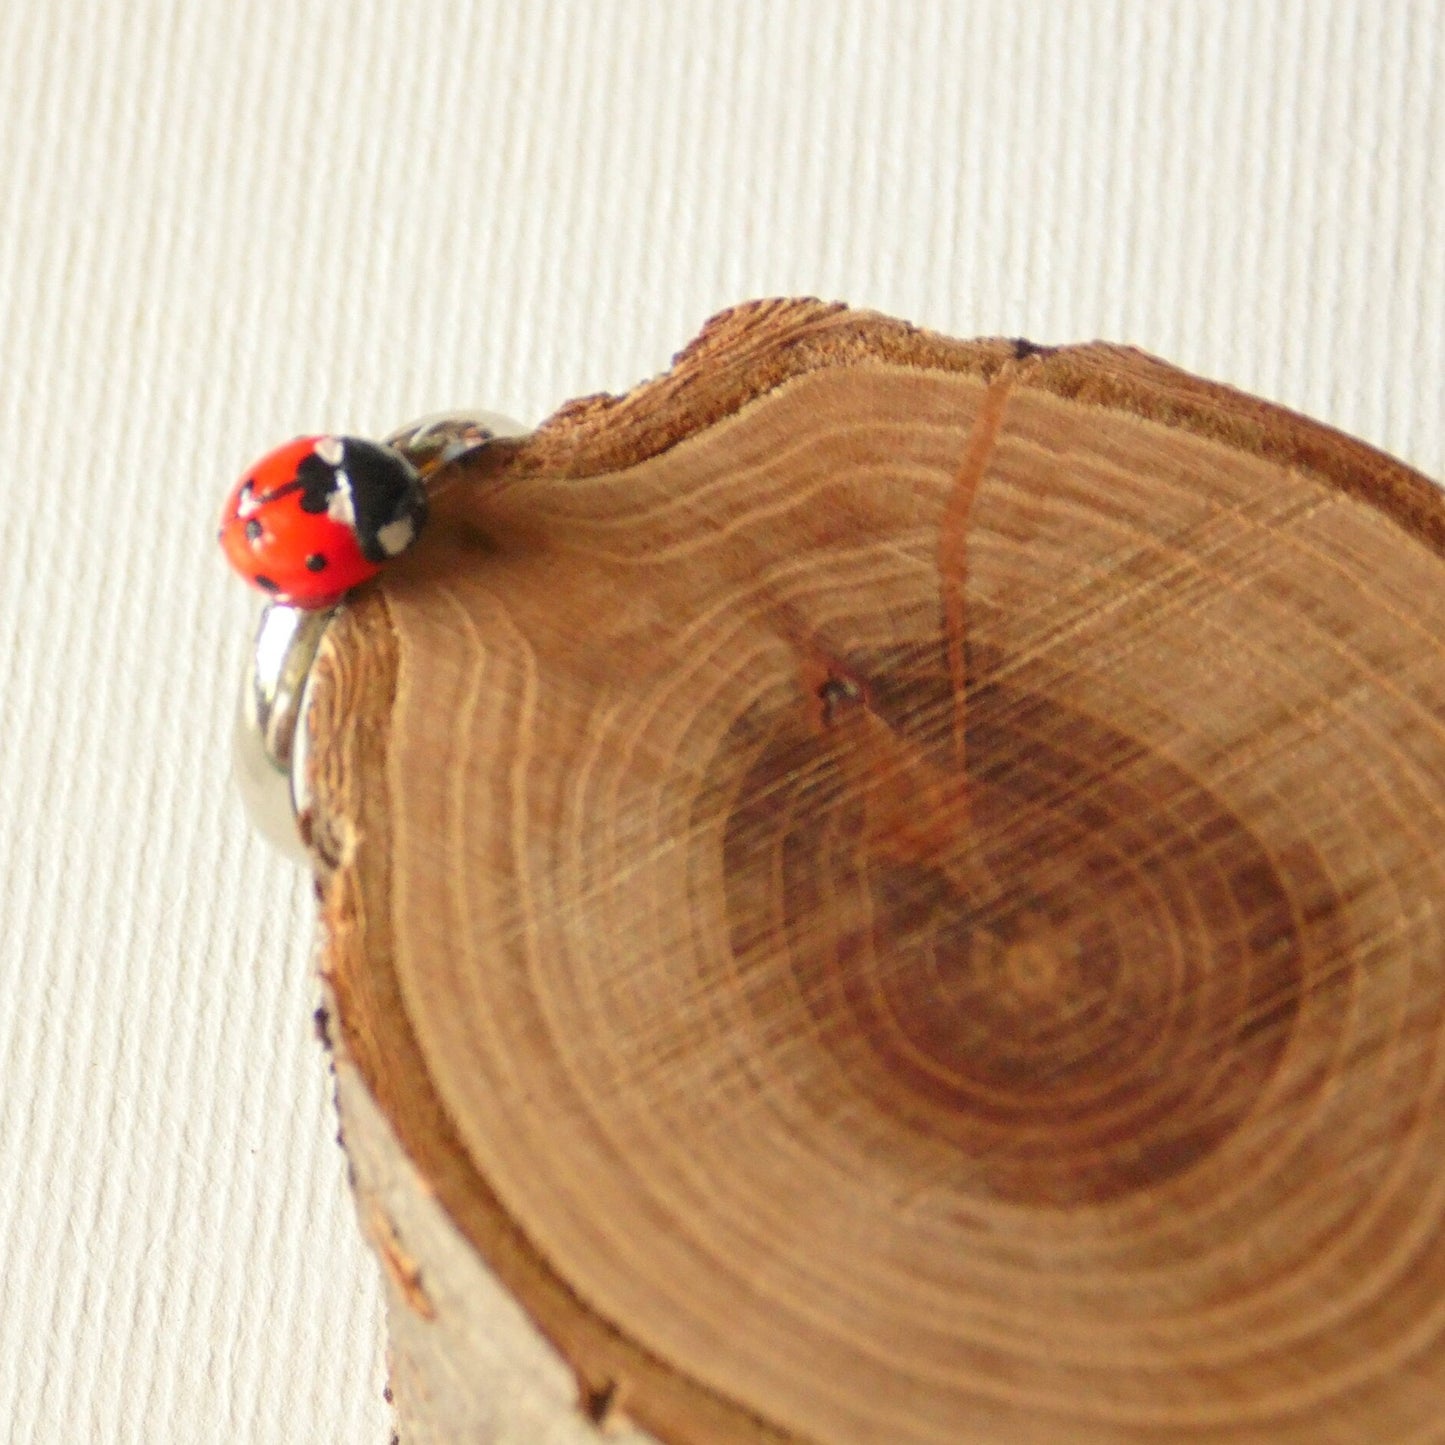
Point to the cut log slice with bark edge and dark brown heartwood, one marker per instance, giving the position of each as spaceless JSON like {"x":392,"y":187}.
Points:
{"x":882,"y":889}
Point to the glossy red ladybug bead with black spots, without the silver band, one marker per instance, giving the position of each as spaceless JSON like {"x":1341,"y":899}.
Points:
{"x":320,"y":517}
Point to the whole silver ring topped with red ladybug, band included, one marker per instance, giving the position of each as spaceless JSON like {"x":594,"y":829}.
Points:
{"x":306,"y":525}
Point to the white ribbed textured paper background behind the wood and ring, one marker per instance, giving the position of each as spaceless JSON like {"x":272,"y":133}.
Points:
{"x":228,"y":223}
